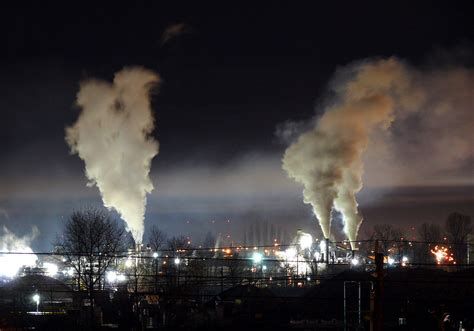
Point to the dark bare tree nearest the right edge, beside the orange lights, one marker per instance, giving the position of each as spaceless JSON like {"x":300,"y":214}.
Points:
{"x":458,"y":227}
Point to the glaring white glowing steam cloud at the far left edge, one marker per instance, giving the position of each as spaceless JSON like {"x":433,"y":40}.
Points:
{"x":10,"y":263}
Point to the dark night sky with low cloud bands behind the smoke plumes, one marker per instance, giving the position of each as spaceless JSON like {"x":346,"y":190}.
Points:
{"x":228,"y":80}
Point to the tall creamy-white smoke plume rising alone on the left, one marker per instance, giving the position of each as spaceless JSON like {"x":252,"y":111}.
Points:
{"x":113,"y":137}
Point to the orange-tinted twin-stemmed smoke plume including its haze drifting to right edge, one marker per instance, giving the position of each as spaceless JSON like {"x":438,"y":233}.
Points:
{"x":389,"y":109}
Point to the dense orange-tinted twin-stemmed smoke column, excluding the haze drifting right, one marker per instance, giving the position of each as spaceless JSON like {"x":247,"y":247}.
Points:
{"x":327,"y":159}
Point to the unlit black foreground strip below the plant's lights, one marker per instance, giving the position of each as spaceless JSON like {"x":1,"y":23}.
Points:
{"x":412,"y":299}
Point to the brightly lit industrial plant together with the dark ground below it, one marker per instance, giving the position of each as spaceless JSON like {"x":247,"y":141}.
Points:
{"x":181,"y":285}
